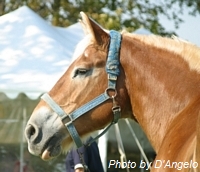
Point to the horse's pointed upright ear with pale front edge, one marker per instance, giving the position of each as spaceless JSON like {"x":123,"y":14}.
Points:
{"x":94,"y":29}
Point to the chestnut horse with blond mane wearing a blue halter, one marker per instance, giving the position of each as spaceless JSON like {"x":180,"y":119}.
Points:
{"x":151,"y":79}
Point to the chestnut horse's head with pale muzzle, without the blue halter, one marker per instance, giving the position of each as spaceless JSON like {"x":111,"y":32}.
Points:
{"x":84,"y":80}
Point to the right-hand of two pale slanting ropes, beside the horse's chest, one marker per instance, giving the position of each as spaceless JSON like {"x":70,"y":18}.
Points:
{"x":137,"y":142}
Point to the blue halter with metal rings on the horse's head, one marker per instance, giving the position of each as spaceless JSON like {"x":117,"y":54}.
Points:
{"x":112,"y":69}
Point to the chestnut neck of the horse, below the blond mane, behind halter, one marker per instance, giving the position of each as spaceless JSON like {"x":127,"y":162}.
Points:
{"x":159,"y":85}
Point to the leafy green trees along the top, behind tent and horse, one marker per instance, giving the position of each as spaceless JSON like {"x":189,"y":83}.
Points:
{"x":111,"y":14}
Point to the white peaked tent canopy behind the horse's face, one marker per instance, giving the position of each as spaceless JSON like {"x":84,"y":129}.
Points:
{"x":33,"y":54}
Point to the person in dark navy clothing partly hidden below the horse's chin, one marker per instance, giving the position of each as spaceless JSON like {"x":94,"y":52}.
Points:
{"x":84,"y":159}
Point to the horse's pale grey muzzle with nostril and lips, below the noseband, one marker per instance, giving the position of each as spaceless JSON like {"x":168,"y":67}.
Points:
{"x":44,"y":134}
